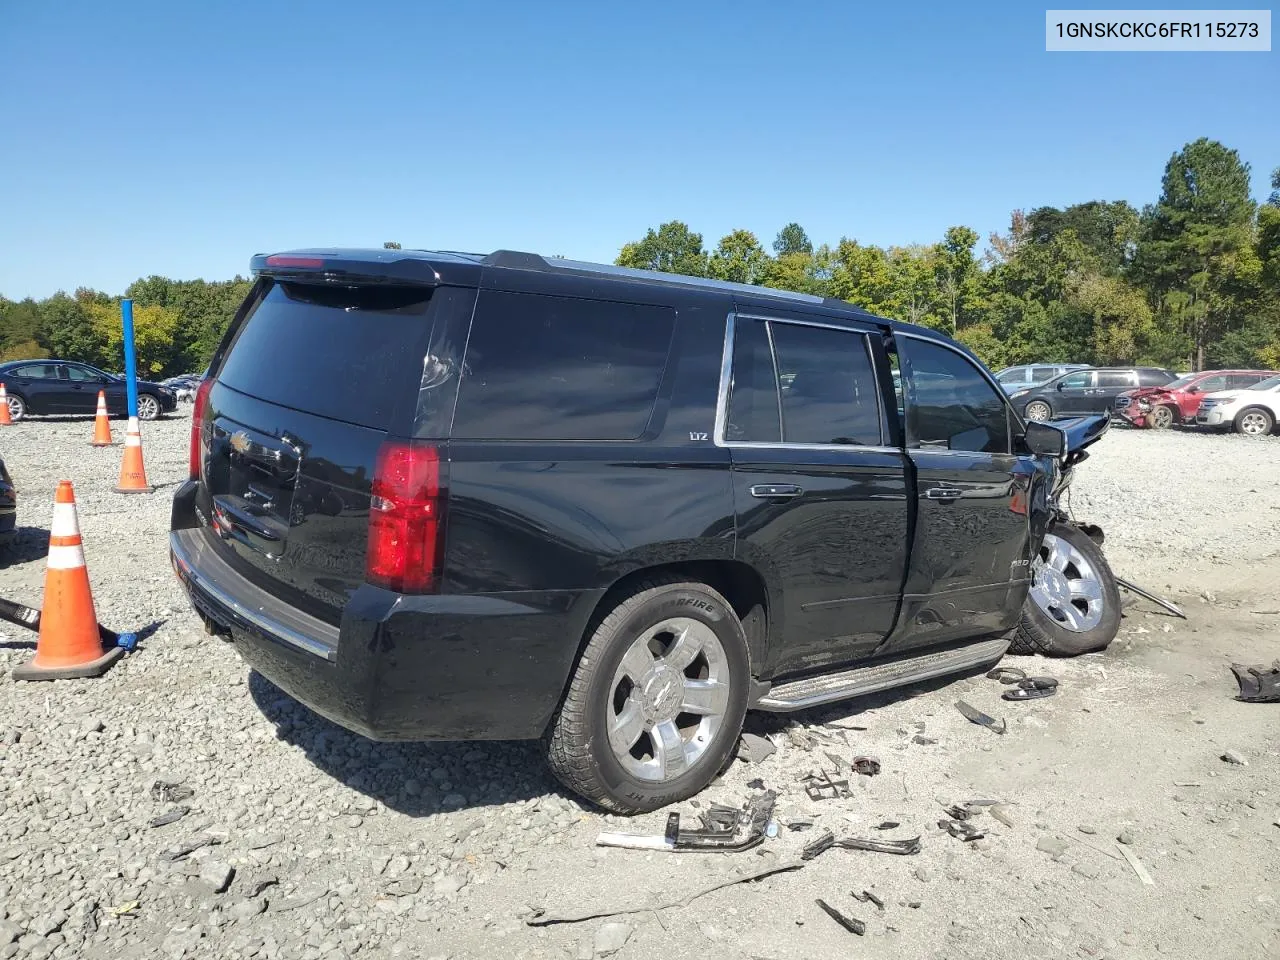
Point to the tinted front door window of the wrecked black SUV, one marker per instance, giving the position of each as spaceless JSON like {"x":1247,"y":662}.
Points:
{"x":950,"y":404}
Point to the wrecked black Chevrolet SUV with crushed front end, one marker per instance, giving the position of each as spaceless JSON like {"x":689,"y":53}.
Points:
{"x":447,"y":496}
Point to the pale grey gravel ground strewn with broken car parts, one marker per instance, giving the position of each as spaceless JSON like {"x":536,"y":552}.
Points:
{"x":313,"y":843}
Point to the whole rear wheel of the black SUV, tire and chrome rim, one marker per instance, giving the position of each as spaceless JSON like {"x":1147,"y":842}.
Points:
{"x":656,"y":706}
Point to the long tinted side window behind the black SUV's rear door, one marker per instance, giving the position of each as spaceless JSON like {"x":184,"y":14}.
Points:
{"x":559,"y":369}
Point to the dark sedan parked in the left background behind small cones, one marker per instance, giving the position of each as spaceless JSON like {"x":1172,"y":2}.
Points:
{"x":67,"y":387}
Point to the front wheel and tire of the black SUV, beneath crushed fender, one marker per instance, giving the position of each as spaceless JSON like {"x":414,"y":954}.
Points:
{"x":1075,"y":604}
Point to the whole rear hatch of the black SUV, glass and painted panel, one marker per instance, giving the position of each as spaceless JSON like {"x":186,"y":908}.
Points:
{"x":307,"y":392}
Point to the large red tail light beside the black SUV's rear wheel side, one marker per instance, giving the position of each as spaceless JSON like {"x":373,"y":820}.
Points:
{"x":406,"y":519}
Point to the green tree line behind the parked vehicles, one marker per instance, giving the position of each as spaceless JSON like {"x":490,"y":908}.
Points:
{"x":1191,"y":282}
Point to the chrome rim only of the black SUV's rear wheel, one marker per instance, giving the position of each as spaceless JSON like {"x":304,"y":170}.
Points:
{"x":668,"y":700}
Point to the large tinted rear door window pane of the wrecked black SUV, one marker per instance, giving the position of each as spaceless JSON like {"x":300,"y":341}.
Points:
{"x":829,"y":388}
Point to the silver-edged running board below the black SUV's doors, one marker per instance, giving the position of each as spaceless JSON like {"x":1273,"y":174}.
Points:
{"x":875,"y":678}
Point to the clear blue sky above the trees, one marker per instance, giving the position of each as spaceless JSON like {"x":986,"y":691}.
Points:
{"x":180,"y":139}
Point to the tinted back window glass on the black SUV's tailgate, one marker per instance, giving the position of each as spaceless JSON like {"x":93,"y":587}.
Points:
{"x":336,"y":353}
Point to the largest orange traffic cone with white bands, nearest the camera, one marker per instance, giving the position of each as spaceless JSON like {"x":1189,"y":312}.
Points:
{"x":70,"y":644}
